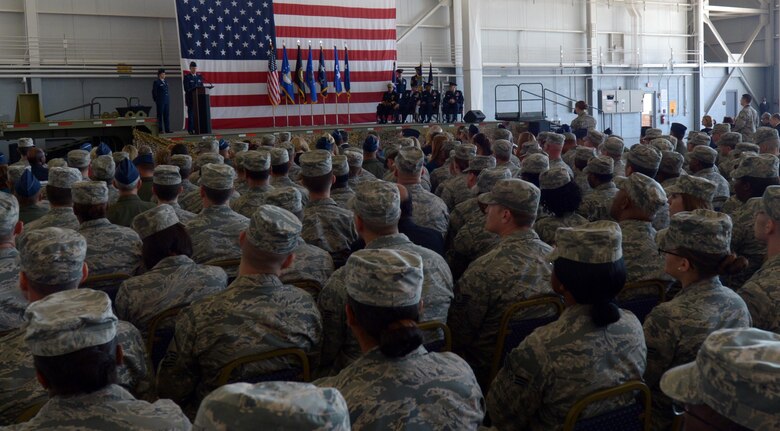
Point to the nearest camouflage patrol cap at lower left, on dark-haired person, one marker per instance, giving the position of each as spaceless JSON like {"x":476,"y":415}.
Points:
{"x":68,"y":321}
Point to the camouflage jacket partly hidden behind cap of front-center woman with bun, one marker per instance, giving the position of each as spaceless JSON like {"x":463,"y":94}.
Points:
{"x":340,"y":347}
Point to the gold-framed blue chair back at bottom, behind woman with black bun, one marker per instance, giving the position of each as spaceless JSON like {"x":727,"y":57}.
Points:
{"x":633,"y":417}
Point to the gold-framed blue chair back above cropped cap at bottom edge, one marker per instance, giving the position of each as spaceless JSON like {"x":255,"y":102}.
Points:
{"x":301,"y":373}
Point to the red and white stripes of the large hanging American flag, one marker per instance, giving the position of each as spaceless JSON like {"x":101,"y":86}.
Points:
{"x":240,"y":98}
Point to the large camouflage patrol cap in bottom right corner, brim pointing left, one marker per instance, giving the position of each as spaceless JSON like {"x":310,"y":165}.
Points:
{"x":736,"y":373}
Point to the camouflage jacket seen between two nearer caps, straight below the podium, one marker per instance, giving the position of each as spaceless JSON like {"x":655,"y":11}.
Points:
{"x":215,"y":233}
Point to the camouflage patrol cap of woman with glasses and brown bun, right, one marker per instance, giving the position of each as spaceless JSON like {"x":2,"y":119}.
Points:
{"x":702,"y":230}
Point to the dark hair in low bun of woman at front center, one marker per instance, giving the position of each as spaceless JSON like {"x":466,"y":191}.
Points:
{"x":394,"y":328}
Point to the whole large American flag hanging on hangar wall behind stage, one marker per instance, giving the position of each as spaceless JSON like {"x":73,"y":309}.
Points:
{"x":231,"y":42}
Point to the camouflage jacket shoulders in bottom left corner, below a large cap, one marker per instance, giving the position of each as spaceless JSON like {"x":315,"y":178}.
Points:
{"x":109,"y":408}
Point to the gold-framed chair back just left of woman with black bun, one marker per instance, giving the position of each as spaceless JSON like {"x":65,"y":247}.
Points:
{"x":513,"y":331}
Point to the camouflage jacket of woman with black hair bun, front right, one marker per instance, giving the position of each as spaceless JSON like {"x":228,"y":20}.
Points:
{"x":562,"y":362}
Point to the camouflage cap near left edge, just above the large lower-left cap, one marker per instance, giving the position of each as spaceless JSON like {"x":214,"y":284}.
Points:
{"x":53,"y":256}
